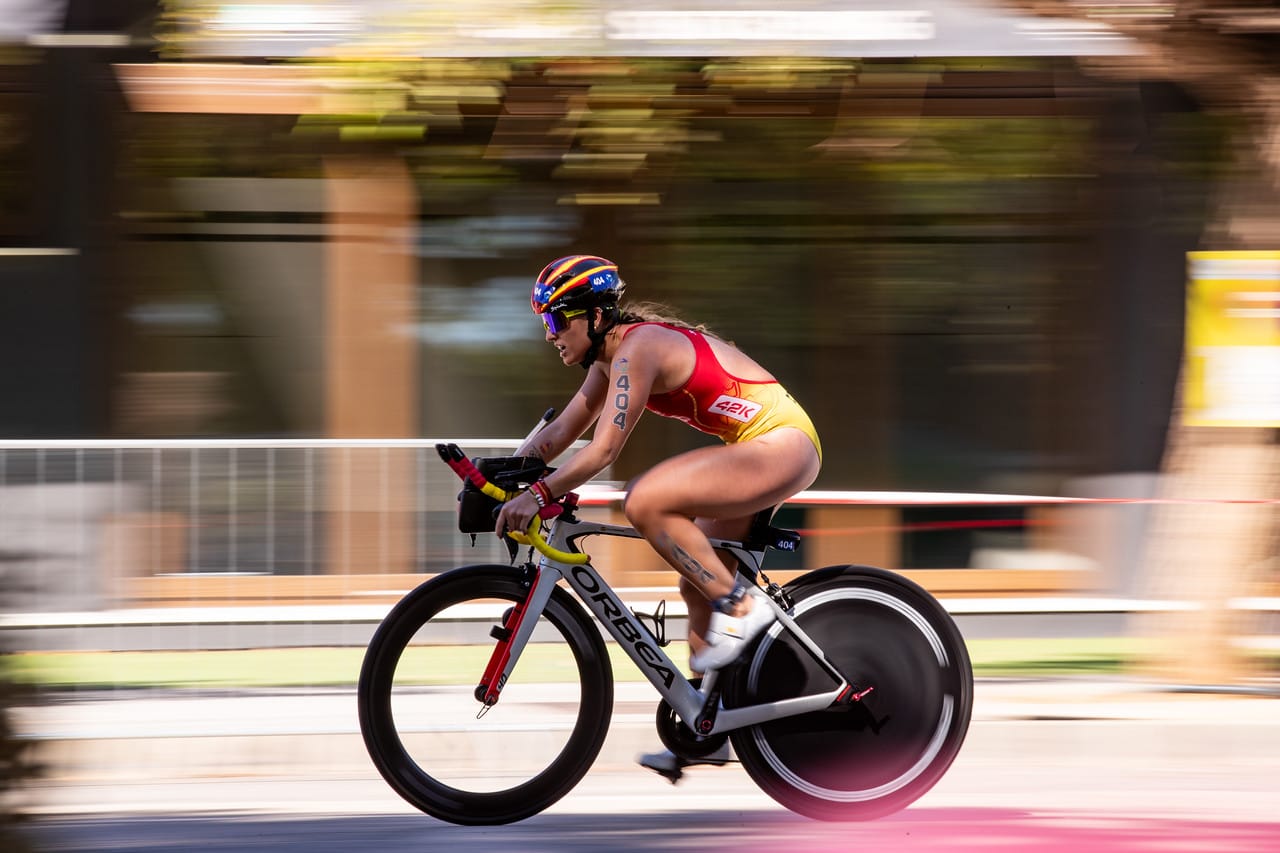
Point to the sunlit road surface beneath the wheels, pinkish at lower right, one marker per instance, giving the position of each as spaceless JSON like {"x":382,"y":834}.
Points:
{"x":1018,"y":808}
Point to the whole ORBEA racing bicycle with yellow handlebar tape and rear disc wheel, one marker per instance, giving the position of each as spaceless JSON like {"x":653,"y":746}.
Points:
{"x":851,"y":706}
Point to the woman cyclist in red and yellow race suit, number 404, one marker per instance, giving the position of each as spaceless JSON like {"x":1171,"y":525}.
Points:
{"x":638,"y":361}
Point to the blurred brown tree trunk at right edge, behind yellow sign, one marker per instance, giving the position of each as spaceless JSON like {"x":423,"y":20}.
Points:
{"x":1218,"y":539}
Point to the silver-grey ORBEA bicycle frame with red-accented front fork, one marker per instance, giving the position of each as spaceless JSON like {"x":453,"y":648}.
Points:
{"x":697,"y":708}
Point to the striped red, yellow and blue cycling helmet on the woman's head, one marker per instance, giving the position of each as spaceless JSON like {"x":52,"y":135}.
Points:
{"x":580,"y":282}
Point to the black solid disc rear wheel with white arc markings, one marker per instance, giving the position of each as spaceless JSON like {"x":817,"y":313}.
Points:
{"x":883,"y":752}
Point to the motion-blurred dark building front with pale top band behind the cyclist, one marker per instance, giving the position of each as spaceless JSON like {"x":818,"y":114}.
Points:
{"x":961,"y":250}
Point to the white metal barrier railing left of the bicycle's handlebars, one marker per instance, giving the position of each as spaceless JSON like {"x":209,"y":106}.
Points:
{"x":80,"y":517}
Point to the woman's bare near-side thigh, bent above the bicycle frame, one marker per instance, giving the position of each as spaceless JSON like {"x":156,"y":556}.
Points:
{"x":729,"y":481}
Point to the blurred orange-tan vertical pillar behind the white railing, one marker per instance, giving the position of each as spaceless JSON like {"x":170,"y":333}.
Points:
{"x":371,"y":362}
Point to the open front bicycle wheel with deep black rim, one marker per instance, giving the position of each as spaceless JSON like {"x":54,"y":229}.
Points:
{"x":451,"y":779}
